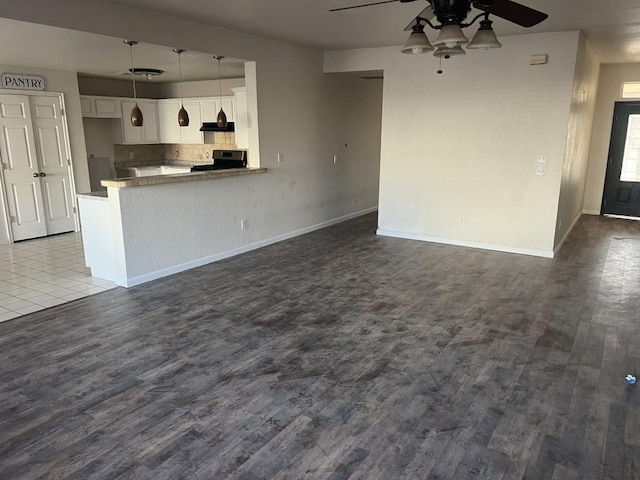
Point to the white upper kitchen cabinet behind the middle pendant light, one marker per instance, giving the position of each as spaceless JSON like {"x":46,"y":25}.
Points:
{"x":171,"y":131}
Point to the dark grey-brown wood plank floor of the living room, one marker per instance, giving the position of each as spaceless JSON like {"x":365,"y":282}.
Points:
{"x":339,"y":355}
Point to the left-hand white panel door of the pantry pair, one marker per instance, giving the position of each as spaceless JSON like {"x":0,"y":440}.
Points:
{"x":20,"y":165}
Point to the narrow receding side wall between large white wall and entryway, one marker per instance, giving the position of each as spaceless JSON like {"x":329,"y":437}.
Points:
{"x":576,"y":157}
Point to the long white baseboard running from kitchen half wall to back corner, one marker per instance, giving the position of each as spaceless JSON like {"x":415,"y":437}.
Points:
{"x":164,"y":272}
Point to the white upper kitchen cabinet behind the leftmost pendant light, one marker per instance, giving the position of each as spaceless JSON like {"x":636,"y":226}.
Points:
{"x":124,"y":133}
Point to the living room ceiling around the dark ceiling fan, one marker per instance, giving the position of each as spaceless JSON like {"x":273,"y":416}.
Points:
{"x":612,"y":26}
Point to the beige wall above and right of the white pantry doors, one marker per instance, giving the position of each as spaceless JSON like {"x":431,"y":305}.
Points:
{"x":66,"y":83}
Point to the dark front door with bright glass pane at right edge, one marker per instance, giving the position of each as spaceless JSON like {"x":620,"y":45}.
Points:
{"x":622,"y":181}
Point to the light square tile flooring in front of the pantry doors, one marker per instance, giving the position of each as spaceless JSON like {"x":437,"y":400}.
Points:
{"x":40,"y":273}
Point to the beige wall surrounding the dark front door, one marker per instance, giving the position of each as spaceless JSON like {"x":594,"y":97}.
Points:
{"x":609,"y":90}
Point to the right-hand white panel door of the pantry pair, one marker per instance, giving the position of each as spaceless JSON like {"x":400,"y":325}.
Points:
{"x":55,"y":178}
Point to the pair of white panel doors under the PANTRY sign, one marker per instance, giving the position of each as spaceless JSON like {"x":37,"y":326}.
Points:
{"x":36,"y":167}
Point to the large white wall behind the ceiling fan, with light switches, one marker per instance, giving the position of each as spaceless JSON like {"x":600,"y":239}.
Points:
{"x":465,"y":143}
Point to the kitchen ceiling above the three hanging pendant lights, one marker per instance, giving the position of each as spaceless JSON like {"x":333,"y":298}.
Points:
{"x":102,"y":56}
